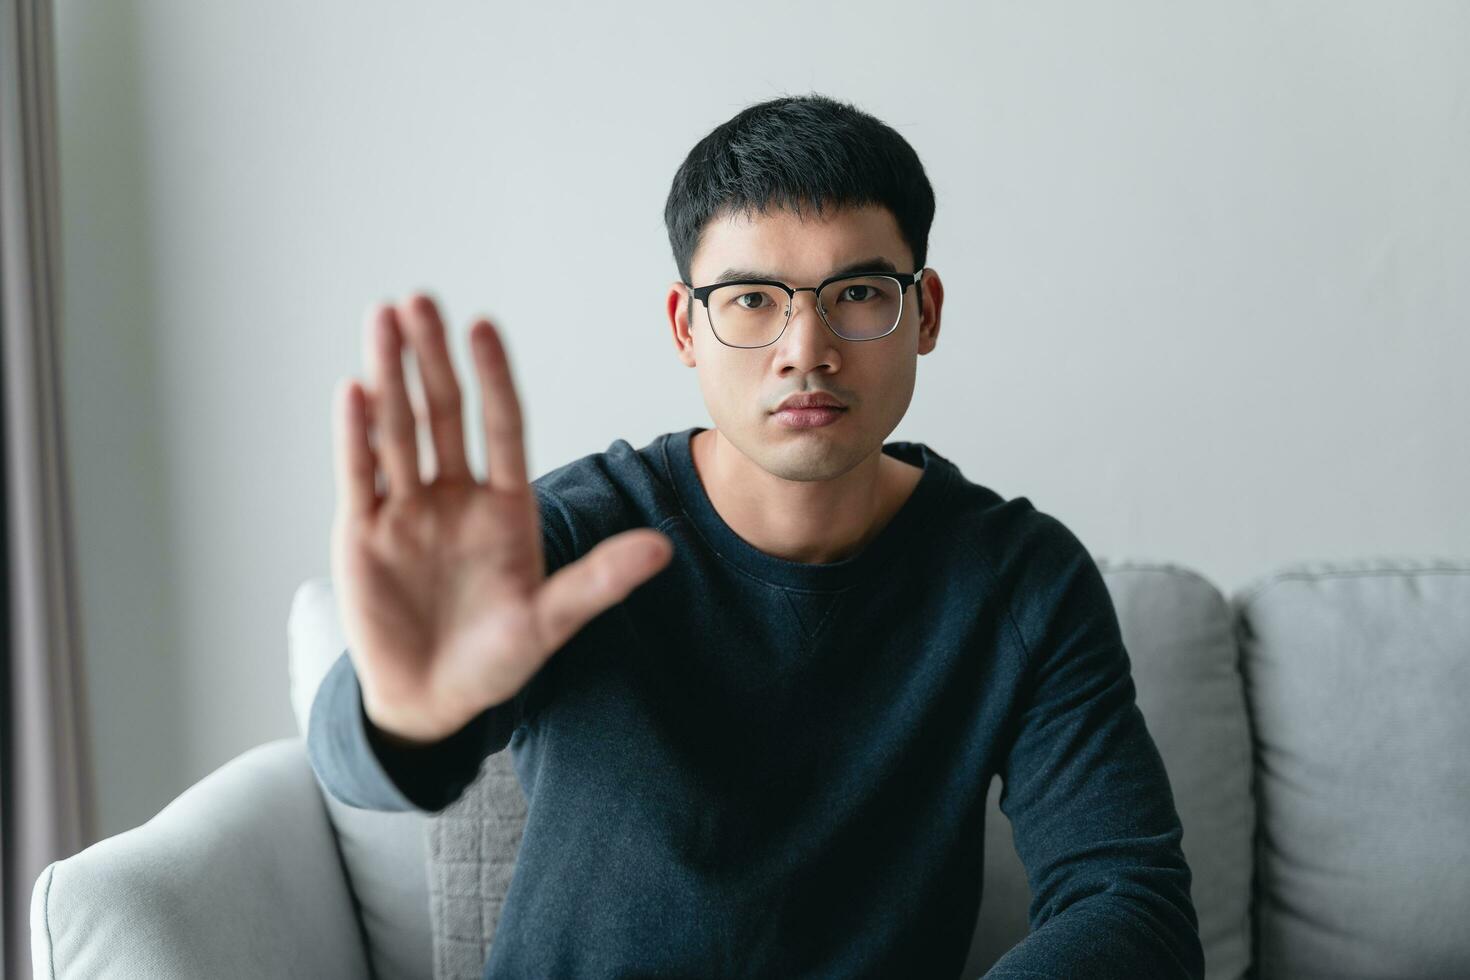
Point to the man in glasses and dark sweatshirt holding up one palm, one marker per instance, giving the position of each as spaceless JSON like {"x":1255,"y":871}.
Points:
{"x":756,"y":678}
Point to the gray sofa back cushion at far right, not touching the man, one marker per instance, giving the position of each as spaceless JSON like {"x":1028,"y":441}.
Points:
{"x":1358,"y":678}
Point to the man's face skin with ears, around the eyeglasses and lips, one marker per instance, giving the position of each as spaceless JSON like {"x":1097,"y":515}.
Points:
{"x":743,"y":387}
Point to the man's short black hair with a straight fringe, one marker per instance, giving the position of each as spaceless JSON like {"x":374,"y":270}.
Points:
{"x":793,"y":152}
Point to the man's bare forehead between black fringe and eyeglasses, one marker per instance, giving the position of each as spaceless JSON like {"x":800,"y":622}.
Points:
{"x":797,"y":249}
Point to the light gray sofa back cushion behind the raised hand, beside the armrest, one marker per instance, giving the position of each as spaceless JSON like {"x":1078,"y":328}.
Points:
{"x":386,"y":853}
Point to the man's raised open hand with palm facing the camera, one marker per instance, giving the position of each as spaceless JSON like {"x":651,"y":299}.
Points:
{"x":440,"y":584}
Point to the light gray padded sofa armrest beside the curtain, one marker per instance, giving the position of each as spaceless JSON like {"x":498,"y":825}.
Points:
{"x":239,"y":876}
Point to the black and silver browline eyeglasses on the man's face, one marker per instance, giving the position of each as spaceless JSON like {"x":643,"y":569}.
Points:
{"x":755,"y":312}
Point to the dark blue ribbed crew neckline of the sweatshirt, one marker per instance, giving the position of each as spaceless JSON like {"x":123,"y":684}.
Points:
{"x":827,"y":577}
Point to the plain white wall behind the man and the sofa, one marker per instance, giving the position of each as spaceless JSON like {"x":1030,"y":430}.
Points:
{"x":1206,"y":293}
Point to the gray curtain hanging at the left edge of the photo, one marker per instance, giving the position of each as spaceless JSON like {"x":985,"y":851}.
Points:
{"x":46,"y":810}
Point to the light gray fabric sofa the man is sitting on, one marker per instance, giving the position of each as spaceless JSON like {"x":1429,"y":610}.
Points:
{"x":1313,"y":725}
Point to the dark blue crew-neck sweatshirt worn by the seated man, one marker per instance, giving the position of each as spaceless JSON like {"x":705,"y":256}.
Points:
{"x":756,"y":768}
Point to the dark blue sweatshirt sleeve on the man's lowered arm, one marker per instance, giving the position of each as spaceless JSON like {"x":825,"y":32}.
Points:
{"x":1087,"y":793}
